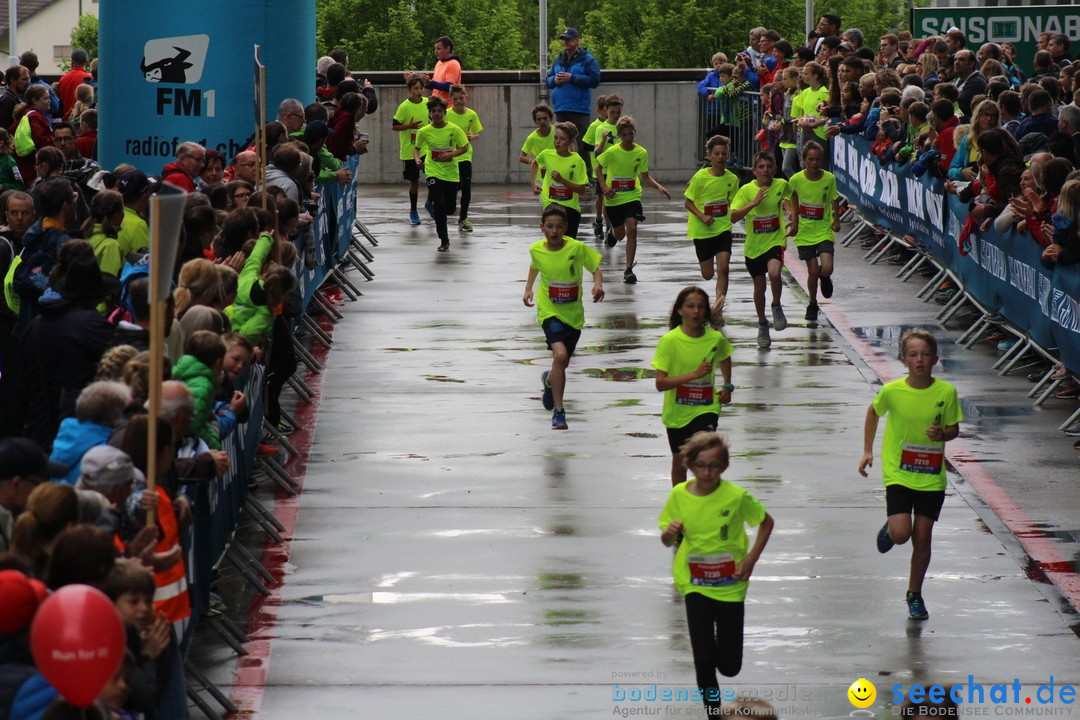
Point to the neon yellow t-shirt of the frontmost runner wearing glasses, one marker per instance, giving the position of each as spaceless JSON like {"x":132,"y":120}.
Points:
{"x":714,"y":539}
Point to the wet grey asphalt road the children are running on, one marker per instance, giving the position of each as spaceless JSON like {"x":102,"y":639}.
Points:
{"x":456,"y":559}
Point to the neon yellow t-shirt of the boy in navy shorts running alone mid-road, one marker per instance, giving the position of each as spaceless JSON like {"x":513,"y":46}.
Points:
{"x":560,"y":294}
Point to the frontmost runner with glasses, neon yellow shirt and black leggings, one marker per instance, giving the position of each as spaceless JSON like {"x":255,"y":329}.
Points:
{"x":707,"y":520}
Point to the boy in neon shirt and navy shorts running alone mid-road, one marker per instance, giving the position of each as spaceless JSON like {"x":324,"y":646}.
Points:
{"x":559,"y":262}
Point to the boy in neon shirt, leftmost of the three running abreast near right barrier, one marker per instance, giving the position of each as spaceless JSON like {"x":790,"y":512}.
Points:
{"x":709,"y":221}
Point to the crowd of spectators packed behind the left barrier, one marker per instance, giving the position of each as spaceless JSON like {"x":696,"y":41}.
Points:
{"x":75,"y":361}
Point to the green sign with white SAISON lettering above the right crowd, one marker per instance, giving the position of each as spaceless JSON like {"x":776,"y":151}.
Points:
{"x":1020,"y":26}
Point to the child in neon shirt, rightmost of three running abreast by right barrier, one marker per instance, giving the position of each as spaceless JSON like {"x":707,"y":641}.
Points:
{"x":817,"y":221}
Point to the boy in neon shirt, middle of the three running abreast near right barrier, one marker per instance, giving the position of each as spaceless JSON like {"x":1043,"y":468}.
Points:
{"x":765,"y":203}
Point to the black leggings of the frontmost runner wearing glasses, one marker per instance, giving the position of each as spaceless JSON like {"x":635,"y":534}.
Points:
{"x":717,"y":633}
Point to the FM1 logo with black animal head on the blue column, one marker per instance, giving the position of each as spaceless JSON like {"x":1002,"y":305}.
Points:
{"x":179,"y":62}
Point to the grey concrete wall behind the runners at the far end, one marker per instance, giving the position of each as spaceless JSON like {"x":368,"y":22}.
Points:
{"x":667,"y":115}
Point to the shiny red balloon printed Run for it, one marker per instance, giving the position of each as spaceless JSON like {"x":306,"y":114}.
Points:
{"x":78,"y":643}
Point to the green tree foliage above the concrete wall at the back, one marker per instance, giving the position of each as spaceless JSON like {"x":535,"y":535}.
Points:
{"x":491,"y":35}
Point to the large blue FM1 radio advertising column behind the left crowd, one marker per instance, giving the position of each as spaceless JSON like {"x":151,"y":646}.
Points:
{"x":173,"y":73}
